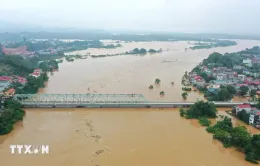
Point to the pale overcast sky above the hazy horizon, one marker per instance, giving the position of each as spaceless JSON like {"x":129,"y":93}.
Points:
{"x":220,"y":16}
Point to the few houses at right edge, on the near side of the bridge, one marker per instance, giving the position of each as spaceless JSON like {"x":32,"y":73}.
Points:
{"x":254,"y":118}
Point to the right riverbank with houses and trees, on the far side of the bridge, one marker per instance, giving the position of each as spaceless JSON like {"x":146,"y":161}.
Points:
{"x":221,"y":77}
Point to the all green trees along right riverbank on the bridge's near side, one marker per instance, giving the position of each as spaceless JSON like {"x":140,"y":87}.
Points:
{"x":224,"y":130}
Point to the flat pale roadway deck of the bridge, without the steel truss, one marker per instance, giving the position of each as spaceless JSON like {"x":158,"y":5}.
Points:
{"x":128,"y":105}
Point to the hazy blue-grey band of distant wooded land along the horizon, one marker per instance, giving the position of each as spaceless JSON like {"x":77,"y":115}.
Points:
{"x":100,"y":34}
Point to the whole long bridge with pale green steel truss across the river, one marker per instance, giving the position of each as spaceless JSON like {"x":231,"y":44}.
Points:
{"x":101,"y":101}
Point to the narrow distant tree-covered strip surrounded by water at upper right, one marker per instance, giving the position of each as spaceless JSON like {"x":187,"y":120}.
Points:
{"x":213,"y":43}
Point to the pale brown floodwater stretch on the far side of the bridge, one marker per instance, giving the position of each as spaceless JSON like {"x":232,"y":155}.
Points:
{"x":134,"y":73}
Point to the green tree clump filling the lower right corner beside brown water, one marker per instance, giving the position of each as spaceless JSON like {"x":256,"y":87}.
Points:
{"x":237,"y":137}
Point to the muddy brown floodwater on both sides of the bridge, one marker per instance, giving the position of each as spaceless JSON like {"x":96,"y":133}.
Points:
{"x":122,"y":137}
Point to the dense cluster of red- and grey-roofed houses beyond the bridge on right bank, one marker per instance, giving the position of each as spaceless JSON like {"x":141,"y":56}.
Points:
{"x":239,"y":75}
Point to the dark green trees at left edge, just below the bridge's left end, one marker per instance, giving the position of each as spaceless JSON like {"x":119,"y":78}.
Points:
{"x":12,"y":113}
